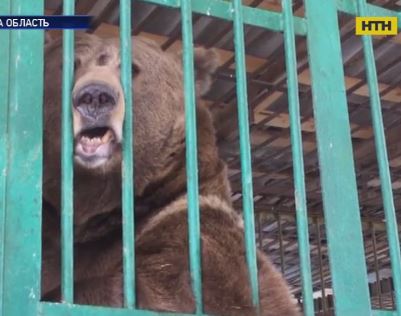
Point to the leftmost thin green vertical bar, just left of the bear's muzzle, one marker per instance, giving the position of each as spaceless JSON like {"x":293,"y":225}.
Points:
{"x":67,"y":199}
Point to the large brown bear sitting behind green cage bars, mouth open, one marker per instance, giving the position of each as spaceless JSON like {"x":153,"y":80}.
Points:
{"x":161,"y":243}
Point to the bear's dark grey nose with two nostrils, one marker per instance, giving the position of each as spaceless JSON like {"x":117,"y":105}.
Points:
{"x":94,"y":100}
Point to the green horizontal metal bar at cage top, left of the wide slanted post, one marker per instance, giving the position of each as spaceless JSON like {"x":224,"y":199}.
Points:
{"x":252,"y":16}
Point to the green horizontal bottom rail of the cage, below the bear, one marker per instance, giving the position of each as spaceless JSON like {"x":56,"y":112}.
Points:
{"x":51,"y":309}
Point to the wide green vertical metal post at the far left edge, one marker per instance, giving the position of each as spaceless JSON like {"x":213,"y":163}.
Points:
{"x":23,"y":201}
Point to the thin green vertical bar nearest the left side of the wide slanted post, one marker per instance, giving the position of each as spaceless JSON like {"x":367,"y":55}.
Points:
{"x":297,"y":157}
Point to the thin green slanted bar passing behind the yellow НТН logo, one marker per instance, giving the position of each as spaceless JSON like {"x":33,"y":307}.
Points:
{"x":382,"y":158}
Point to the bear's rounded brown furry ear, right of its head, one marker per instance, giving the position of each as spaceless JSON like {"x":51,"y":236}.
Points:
{"x":206,"y":62}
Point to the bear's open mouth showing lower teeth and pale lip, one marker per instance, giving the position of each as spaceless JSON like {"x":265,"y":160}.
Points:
{"x":95,"y":144}
